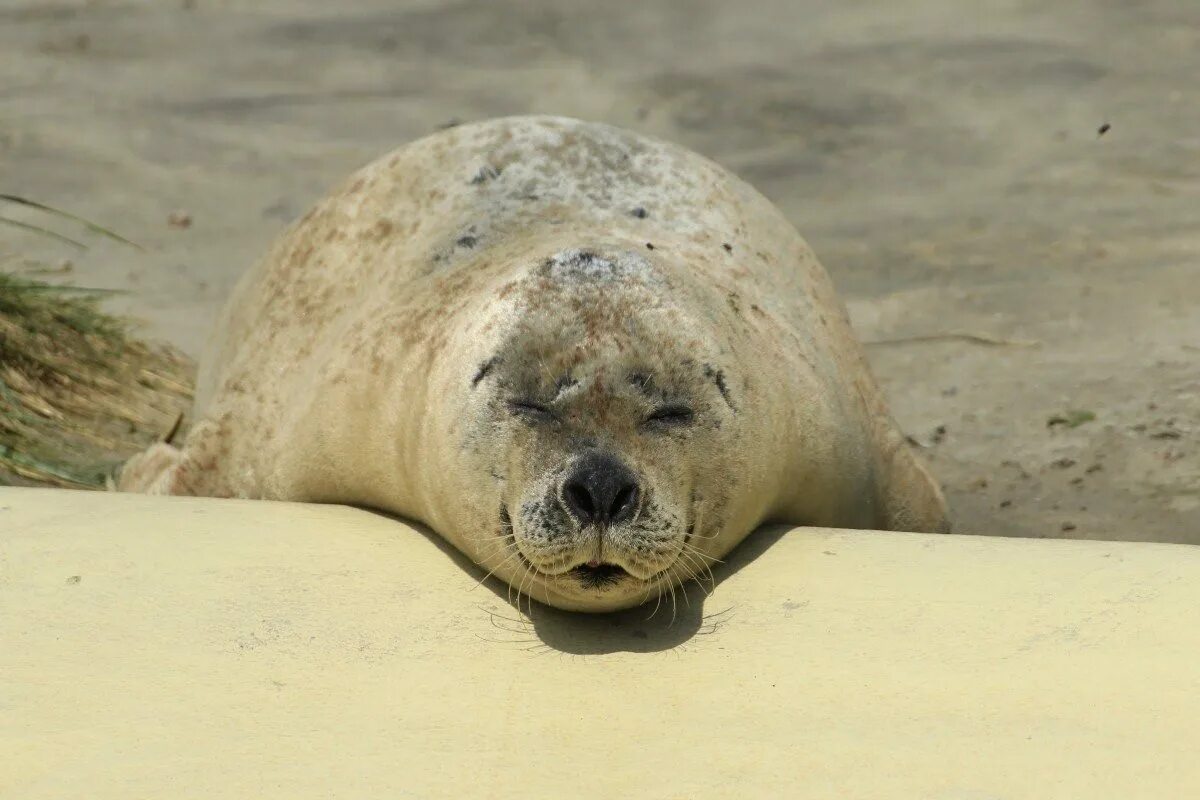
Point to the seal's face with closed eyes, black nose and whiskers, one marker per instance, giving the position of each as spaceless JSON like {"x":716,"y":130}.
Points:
{"x":608,"y":424}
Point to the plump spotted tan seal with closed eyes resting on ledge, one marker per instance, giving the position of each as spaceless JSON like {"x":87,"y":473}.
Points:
{"x":591,"y":360}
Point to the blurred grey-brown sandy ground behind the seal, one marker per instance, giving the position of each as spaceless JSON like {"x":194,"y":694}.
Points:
{"x":944,"y":160}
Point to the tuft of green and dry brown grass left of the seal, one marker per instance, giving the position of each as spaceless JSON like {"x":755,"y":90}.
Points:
{"x":79,"y":392}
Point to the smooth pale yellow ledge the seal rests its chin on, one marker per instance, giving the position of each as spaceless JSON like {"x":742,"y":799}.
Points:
{"x":185,"y":648}
